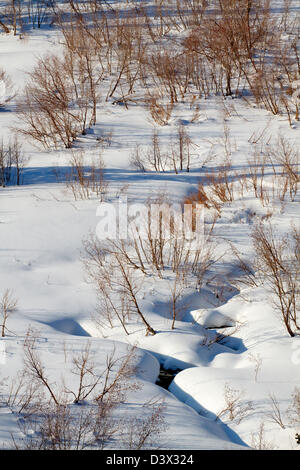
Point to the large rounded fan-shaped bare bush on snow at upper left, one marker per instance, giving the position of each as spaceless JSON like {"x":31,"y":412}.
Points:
{"x":57,"y":101}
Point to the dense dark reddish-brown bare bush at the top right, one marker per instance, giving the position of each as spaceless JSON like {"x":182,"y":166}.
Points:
{"x":229,"y":40}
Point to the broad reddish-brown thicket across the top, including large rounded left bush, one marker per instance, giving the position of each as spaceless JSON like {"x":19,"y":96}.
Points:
{"x":130,"y":56}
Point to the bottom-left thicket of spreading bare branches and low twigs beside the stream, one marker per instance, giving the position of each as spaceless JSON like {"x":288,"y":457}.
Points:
{"x":82,"y":411}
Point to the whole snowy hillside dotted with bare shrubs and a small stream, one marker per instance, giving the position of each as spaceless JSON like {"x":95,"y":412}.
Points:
{"x":220,"y":316}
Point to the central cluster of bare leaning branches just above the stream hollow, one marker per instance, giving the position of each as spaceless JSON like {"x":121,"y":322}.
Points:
{"x":156,"y":249}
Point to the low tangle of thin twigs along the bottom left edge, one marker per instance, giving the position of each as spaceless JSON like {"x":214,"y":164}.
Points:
{"x":93,"y":426}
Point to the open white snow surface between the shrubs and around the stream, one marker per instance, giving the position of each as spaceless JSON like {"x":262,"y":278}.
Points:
{"x":41,"y":233}
